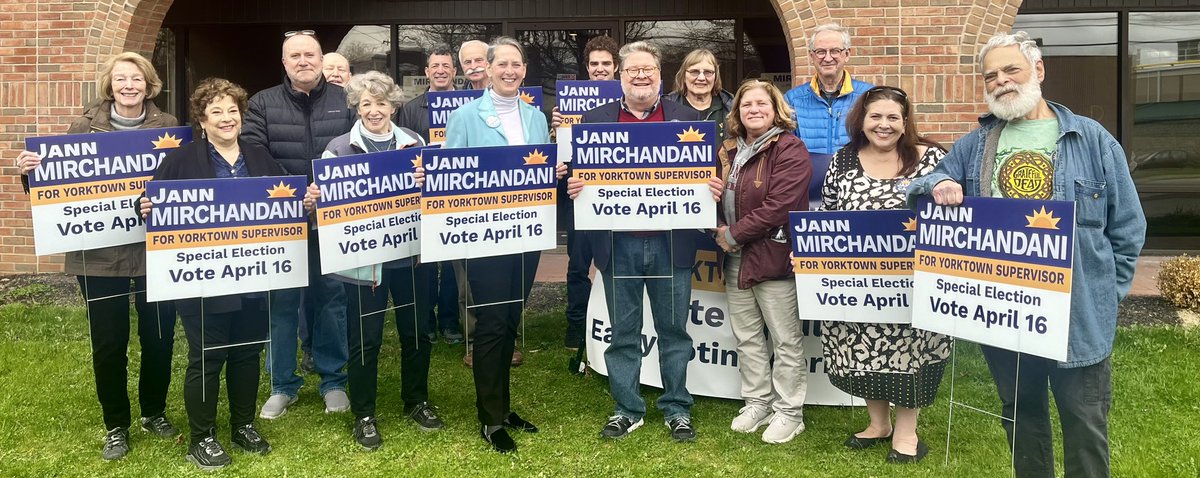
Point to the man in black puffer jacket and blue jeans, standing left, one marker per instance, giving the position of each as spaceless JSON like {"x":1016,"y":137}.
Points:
{"x":295,"y":122}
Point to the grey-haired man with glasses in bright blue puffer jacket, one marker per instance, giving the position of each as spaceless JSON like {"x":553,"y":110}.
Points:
{"x":821,"y":105}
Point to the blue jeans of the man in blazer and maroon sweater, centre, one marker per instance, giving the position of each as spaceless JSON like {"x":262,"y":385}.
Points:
{"x":633,"y":260}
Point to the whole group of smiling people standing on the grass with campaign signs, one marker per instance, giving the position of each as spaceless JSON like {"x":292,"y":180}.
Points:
{"x":879,"y":162}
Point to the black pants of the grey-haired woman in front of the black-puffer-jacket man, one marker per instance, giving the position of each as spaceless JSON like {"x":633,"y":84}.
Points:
{"x":367,"y":309}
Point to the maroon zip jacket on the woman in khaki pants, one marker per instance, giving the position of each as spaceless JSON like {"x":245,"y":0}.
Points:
{"x":772,"y":184}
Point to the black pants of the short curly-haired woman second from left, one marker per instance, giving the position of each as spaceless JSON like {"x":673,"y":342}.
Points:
{"x":213,"y":344}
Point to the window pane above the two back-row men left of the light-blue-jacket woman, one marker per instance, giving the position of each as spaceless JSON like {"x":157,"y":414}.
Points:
{"x":416,"y":43}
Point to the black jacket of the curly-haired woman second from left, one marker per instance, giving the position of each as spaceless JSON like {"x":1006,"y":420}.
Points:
{"x":193,"y":162}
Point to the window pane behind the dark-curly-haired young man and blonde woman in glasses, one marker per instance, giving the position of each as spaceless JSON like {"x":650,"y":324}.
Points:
{"x":676,"y":39}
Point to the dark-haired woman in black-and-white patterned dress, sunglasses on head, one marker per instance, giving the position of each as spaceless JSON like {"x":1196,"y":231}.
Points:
{"x":884,"y":363}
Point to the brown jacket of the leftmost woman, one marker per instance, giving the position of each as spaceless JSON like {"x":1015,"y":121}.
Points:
{"x":123,"y":261}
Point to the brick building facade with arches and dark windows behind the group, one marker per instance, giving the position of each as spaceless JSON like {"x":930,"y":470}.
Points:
{"x":1111,"y":61}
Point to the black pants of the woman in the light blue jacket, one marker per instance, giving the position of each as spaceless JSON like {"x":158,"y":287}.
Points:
{"x":499,"y":288}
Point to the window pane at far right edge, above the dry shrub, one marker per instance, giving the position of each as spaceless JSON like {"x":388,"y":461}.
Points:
{"x":1166,"y":150}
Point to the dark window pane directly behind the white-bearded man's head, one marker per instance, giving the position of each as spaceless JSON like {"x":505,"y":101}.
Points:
{"x":1081,"y":57}
